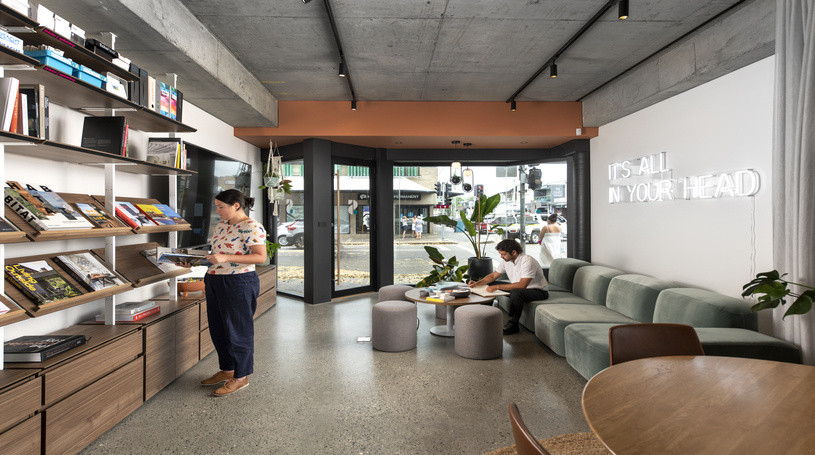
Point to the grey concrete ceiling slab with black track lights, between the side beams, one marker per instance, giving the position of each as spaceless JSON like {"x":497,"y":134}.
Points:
{"x":442,"y":50}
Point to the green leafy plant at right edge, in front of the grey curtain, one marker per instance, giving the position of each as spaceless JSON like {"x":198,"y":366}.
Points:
{"x":771,"y":290}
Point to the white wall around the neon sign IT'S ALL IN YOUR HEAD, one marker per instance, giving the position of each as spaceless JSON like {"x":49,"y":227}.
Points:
{"x":717,"y":244}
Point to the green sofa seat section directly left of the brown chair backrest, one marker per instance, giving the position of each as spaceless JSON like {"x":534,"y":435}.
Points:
{"x":587,"y":347}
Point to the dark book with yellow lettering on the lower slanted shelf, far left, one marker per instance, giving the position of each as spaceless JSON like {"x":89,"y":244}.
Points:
{"x":40,"y":282}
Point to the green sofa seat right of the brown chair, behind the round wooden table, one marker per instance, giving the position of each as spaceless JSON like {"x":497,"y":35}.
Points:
{"x":746,"y":343}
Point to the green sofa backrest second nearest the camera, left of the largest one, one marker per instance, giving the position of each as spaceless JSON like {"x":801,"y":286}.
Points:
{"x":635,"y":295}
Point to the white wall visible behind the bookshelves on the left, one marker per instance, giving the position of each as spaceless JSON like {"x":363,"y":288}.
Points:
{"x":66,"y":126}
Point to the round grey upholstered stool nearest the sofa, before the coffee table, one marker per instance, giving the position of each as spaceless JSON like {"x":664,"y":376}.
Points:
{"x":479,"y":332}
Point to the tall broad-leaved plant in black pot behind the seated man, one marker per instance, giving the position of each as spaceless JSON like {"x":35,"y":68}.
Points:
{"x":479,"y":265}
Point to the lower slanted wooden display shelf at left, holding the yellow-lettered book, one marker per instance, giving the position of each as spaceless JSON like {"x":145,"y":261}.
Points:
{"x":86,"y":296}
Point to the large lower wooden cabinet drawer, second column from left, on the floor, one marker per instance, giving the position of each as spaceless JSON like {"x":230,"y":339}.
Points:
{"x":78,"y":420}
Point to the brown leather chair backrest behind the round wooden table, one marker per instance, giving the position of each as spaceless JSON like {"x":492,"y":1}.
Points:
{"x":637,"y":341}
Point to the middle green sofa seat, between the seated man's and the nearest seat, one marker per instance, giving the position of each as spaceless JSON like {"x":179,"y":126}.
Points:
{"x":551,"y":321}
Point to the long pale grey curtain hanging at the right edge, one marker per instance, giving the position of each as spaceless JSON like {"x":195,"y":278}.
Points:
{"x":794,"y":162}
